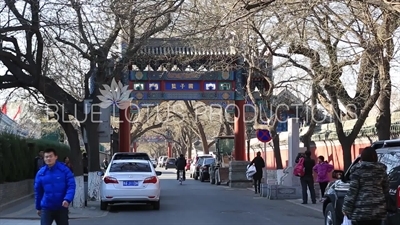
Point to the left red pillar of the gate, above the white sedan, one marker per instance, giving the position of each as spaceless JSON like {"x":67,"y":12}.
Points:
{"x":124,"y":130}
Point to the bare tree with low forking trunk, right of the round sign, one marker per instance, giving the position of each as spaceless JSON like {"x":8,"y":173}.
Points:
{"x":326,"y":64}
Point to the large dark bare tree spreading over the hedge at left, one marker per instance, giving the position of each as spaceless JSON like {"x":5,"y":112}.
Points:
{"x":91,"y":30}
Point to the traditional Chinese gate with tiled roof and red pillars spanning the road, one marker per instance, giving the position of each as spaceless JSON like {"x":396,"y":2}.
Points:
{"x":162,"y":74}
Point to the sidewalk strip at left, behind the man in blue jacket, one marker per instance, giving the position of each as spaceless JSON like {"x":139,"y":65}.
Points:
{"x":26,"y":211}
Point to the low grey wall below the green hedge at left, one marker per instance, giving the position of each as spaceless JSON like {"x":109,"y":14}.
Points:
{"x":10,"y":192}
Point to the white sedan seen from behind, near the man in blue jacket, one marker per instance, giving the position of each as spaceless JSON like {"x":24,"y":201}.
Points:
{"x":130,"y":181}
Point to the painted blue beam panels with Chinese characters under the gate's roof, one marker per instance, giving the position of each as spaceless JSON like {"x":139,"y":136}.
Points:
{"x":150,"y":87}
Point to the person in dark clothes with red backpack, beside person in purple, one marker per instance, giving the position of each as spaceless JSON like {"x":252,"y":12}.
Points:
{"x":306,"y":165}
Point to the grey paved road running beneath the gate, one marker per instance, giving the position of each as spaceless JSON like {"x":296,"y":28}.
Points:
{"x":197,"y":203}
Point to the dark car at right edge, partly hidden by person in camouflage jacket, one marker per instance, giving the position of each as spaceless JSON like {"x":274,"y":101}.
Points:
{"x":388,"y":154}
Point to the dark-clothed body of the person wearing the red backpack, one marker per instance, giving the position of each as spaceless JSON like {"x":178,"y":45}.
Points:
{"x":307,"y":180}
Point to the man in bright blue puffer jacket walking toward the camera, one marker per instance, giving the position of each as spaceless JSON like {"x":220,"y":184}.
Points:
{"x":54,"y":190}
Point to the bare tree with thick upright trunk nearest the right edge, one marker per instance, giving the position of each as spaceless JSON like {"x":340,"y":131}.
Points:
{"x":383,"y":22}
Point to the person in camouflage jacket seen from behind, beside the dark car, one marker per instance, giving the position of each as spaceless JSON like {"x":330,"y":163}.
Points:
{"x":365,"y":202}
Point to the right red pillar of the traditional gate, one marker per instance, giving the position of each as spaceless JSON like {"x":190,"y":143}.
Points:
{"x":240,"y":131}
